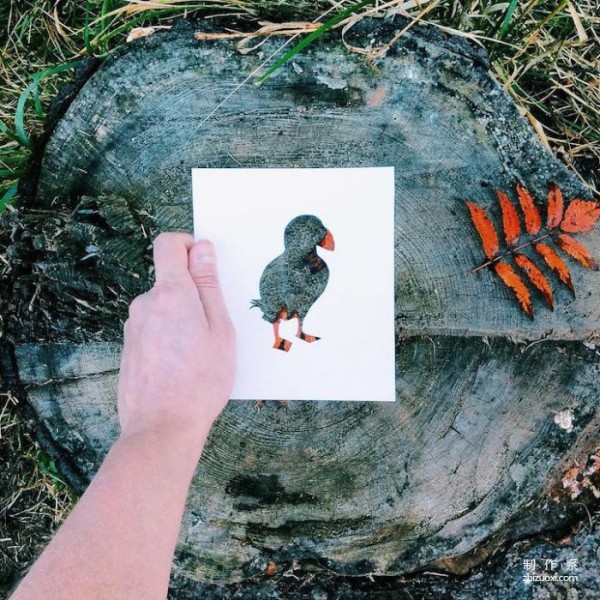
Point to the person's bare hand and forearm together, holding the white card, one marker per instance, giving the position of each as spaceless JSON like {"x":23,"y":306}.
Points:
{"x":176,"y":376}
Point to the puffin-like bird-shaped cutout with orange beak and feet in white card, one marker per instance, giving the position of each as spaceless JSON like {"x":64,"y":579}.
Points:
{"x":291,"y":283}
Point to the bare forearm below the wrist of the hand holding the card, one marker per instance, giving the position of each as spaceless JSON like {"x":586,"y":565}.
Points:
{"x":119,"y":540}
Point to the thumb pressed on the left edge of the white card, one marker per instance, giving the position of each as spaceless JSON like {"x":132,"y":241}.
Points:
{"x":202,"y":265}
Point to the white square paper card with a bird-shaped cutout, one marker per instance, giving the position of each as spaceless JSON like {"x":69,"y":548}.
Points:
{"x":245,"y":213}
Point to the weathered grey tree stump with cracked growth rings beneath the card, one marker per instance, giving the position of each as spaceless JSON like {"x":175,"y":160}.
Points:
{"x":469,"y":455}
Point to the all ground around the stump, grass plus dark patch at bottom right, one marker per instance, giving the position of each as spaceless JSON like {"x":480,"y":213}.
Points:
{"x":543,"y":53}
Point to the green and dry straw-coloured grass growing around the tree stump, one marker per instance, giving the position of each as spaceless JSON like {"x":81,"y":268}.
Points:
{"x":545,"y":54}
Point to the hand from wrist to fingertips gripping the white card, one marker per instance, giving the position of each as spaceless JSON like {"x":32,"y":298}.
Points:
{"x":178,"y":358}
